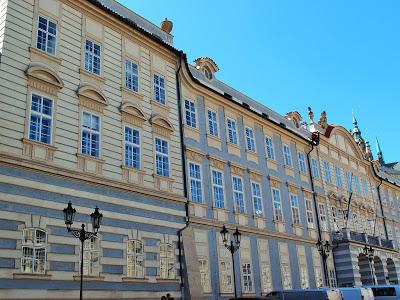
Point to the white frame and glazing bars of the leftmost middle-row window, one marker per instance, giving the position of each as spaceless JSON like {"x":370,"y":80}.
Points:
{"x":41,"y":116}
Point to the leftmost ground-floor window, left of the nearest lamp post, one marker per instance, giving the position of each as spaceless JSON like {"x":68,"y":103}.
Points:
{"x":34,"y":246}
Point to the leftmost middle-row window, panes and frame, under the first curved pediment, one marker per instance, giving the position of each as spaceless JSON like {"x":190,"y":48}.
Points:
{"x":40,"y":123}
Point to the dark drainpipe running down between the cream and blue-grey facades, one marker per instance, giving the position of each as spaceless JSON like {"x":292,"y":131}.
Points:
{"x":183,"y":160}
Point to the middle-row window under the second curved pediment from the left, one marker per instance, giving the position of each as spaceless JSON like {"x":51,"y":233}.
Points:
{"x":91,"y":134}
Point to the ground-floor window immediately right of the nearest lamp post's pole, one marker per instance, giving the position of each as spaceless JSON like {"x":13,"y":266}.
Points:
{"x":91,"y":257}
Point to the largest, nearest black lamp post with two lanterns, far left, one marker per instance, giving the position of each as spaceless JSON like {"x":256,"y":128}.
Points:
{"x":82,"y":234}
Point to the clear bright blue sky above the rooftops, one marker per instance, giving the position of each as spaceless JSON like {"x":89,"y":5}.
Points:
{"x":336,"y":56}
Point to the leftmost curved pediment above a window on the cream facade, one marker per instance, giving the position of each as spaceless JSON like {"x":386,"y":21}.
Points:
{"x":44,"y":78}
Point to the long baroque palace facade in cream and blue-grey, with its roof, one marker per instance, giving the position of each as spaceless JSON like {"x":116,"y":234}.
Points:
{"x":99,"y":109}
